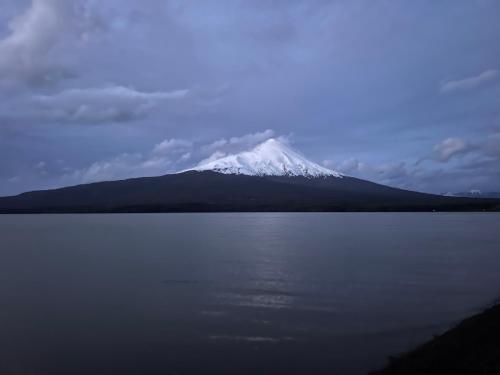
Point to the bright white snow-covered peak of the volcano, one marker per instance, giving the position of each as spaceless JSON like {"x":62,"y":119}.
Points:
{"x":270,"y":158}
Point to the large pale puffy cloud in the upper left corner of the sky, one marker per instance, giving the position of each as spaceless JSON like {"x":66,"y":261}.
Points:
{"x":25,"y":53}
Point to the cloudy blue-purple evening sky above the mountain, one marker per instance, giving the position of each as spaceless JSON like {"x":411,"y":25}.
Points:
{"x":404,"y":93}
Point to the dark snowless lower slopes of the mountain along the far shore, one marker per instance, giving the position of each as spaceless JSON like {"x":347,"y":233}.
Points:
{"x":215,"y":192}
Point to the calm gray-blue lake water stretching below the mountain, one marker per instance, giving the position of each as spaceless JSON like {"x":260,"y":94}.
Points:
{"x":236,"y":293}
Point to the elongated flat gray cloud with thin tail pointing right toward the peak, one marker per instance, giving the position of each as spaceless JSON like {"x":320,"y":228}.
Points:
{"x":97,"y":105}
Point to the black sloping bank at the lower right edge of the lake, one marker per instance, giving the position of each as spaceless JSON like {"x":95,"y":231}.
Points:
{"x":471,"y":348}
